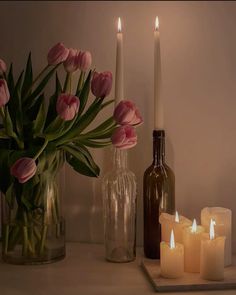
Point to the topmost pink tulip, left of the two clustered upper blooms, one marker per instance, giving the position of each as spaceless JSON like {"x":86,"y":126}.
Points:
{"x":57,"y":54}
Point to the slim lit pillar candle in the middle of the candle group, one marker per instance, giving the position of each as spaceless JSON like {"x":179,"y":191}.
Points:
{"x":192,"y":247}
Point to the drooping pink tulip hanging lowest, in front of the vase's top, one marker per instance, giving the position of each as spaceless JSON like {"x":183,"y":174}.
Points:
{"x":24,"y":169}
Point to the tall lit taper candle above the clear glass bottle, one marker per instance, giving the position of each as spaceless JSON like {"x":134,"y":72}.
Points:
{"x":119,"y":83}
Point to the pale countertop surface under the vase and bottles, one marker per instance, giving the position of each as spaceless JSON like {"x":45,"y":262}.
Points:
{"x":84,"y":271}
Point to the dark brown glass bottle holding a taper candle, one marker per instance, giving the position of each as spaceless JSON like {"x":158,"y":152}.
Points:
{"x":158,"y":195}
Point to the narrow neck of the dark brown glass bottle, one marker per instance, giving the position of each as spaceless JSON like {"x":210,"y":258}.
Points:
{"x":158,"y":147}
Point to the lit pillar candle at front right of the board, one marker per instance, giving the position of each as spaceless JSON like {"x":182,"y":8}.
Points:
{"x":212,"y":255}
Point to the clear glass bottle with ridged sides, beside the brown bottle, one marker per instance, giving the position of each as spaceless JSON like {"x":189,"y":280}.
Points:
{"x":119,"y":203}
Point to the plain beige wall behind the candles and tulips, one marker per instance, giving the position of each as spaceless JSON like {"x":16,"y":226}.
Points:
{"x":198,"y":46}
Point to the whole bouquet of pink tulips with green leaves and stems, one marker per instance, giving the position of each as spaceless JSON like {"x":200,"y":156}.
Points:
{"x":37,"y":135}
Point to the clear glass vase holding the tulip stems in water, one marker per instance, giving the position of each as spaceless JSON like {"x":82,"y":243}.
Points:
{"x":34,"y":233}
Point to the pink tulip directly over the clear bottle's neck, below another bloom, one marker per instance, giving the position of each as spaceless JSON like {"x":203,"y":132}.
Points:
{"x":124,"y":137}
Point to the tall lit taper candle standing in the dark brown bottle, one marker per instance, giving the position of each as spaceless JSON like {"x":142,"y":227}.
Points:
{"x":158,"y":104}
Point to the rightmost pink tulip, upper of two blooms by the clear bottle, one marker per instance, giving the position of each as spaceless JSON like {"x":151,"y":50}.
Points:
{"x":127,"y":113}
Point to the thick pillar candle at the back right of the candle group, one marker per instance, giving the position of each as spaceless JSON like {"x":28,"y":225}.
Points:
{"x":223,"y":227}
